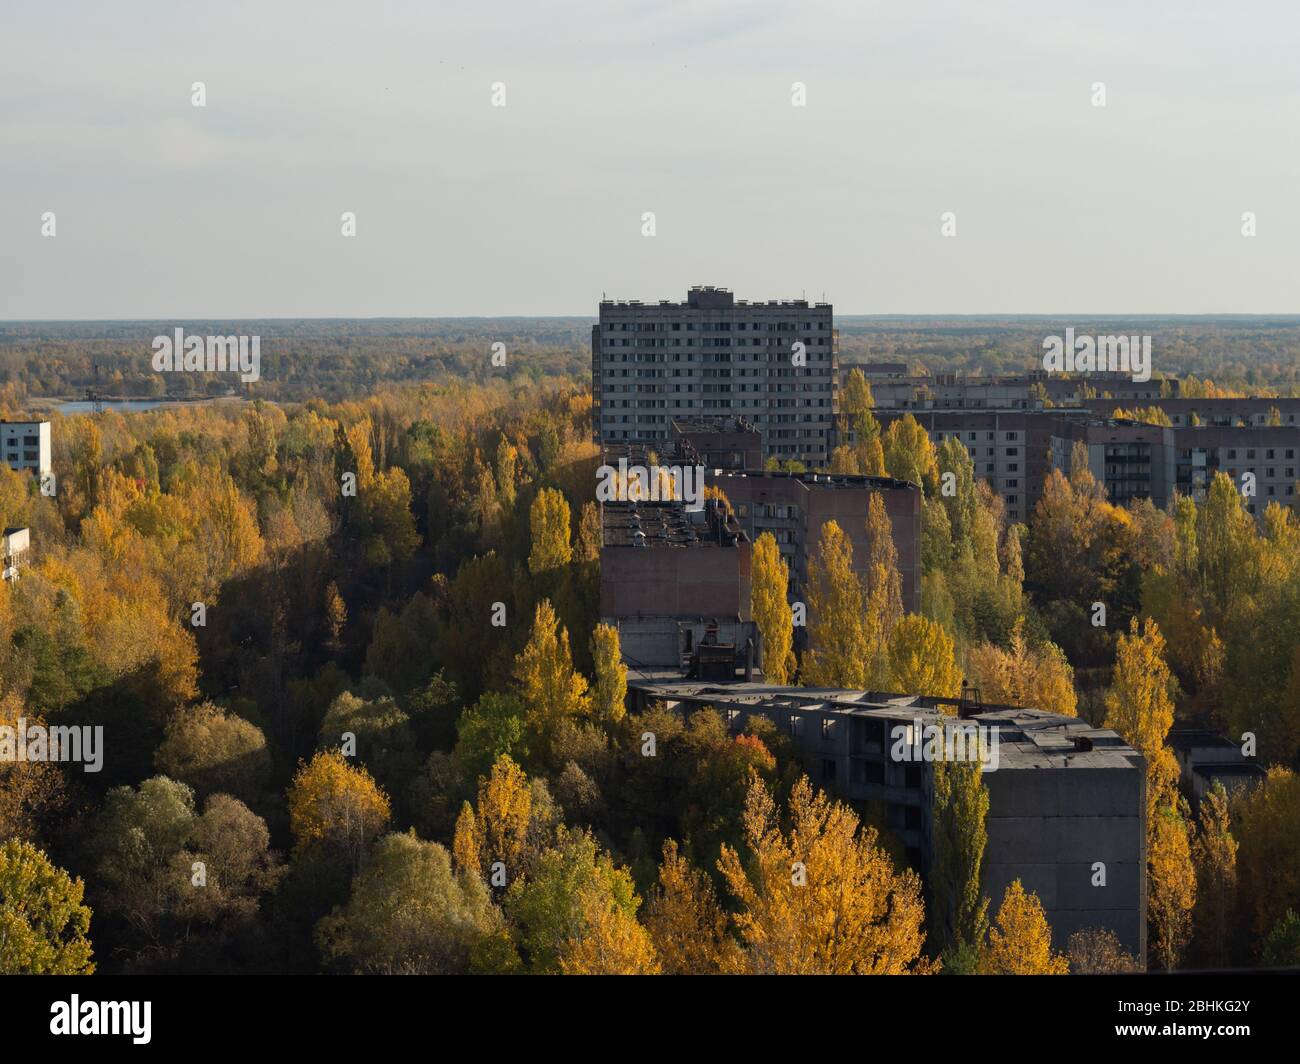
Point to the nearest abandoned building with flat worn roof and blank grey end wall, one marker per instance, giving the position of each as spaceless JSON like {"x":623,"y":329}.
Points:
{"x":1063,"y":797}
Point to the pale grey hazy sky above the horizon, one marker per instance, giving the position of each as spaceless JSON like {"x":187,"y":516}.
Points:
{"x":618,"y":109}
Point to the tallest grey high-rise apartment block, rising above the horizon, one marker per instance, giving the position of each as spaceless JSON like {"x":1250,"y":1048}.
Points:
{"x":775,"y":365}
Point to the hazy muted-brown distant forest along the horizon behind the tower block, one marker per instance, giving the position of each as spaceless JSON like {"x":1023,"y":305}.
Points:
{"x":337,"y":360}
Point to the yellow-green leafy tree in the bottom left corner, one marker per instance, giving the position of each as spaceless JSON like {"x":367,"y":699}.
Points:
{"x":44,"y":923}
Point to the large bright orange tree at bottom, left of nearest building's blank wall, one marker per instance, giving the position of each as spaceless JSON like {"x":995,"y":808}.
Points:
{"x":822,"y":898}
